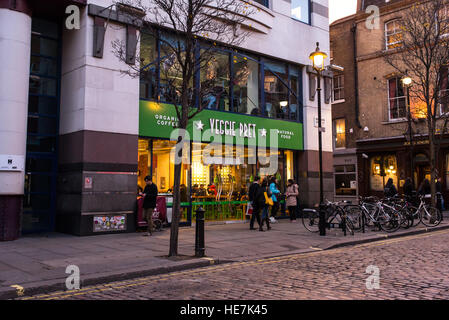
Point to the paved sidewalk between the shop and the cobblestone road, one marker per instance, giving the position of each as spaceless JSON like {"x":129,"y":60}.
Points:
{"x":38,"y":262}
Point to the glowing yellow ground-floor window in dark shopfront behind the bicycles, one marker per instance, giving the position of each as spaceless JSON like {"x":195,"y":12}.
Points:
{"x":383,"y":168}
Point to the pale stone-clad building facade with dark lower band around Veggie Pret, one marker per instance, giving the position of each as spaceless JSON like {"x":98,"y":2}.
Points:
{"x":69,"y":117}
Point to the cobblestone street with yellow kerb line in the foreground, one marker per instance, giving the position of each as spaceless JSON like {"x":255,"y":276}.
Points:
{"x":412,"y":267}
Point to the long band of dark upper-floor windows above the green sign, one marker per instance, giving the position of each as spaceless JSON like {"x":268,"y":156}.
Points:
{"x":229,"y":81}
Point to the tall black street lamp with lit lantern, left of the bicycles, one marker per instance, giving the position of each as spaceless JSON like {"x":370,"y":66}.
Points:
{"x":317,"y":58}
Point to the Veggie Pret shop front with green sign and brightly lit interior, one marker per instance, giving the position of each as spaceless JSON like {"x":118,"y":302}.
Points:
{"x":221,"y":154}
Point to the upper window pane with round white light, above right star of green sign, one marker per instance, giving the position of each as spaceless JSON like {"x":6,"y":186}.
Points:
{"x":276,"y":92}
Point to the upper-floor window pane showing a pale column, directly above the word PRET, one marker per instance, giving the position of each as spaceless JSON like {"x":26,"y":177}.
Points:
{"x":246,"y":85}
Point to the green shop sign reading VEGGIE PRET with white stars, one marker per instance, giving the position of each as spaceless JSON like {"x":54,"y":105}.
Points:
{"x":157,"y":120}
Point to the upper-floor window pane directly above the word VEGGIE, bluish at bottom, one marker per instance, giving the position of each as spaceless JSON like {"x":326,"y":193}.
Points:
{"x":215,"y":79}
